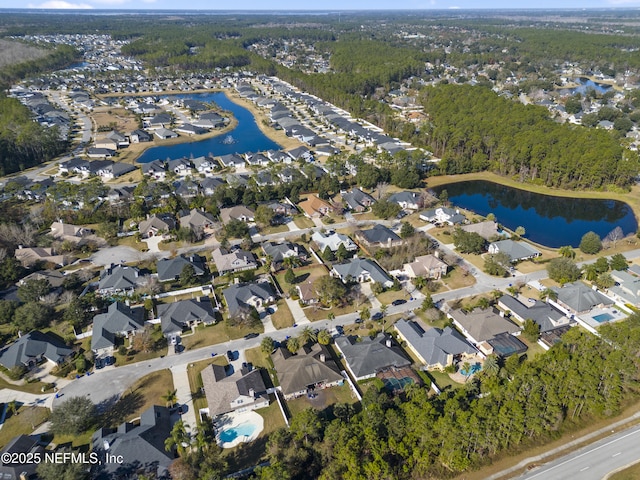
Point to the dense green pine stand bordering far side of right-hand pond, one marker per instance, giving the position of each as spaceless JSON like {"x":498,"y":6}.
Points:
{"x":474,"y":129}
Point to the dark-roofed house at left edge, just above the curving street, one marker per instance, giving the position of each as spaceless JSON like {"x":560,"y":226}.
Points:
{"x":33,"y":348}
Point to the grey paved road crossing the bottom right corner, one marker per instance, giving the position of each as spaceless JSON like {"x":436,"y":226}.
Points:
{"x":593,"y":462}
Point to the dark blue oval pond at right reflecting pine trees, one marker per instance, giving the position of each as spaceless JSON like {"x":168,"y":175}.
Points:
{"x":548,"y":220}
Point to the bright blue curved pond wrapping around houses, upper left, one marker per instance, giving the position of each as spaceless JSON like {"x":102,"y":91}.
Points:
{"x":246,"y":136}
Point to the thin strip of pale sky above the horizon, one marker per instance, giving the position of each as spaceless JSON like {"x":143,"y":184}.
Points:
{"x":274,"y":5}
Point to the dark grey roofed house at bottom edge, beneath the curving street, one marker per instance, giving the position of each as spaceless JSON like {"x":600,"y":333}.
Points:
{"x":141,"y":445}
